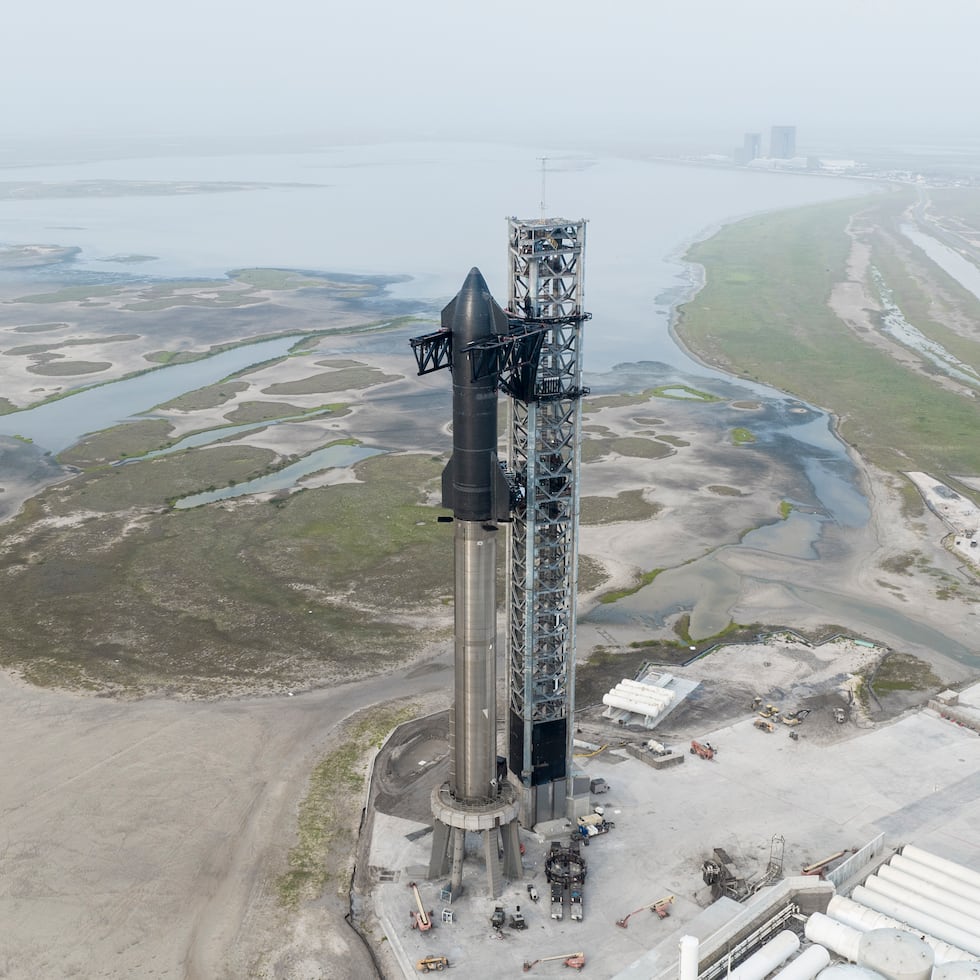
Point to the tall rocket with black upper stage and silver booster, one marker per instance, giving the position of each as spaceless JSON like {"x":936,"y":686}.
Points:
{"x":475,"y":488}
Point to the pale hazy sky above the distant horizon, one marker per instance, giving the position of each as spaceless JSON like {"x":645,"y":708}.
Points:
{"x":559,"y":72}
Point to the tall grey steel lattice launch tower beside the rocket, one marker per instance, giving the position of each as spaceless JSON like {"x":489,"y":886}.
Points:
{"x":546,"y":258}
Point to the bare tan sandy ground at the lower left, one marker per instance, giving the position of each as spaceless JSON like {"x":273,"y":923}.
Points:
{"x":142,"y":838}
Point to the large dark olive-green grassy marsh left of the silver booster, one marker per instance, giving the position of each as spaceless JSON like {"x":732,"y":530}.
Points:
{"x":225,"y":598}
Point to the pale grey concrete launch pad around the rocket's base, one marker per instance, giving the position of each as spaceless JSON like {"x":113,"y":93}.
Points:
{"x":916,"y":779}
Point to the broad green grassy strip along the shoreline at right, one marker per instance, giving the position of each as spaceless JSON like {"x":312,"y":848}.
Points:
{"x":782,"y":330}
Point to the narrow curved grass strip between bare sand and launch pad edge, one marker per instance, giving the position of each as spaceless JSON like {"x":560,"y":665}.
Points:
{"x":327,"y":822}
